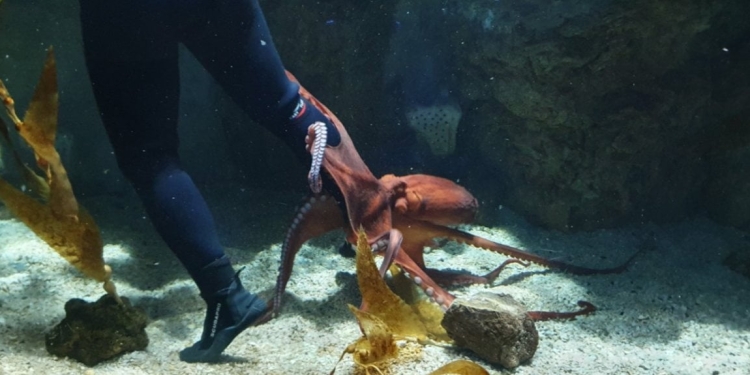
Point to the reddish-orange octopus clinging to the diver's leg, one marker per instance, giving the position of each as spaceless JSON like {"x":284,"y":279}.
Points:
{"x":401,"y":215}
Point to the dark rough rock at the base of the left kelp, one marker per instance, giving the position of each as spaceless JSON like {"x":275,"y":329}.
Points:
{"x":94,"y":332}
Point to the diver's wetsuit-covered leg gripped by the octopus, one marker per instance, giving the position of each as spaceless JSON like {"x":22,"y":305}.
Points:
{"x":234,"y":44}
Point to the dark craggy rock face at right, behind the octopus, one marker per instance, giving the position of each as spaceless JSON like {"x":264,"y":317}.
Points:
{"x":599,"y":113}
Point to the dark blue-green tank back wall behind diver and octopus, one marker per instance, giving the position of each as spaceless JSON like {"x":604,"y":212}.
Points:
{"x":576,"y":115}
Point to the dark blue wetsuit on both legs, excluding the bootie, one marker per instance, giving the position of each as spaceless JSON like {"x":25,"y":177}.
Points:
{"x":132,"y":58}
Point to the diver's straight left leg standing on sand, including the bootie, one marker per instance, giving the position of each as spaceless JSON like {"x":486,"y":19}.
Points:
{"x":131,"y":56}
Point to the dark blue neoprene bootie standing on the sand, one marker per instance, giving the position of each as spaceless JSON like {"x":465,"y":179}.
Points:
{"x":230,"y":311}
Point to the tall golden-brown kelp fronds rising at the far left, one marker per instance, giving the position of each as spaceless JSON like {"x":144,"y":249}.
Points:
{"x":57,"y":218}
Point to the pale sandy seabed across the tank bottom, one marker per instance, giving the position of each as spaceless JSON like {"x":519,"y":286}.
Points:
{"x":677,"y":310}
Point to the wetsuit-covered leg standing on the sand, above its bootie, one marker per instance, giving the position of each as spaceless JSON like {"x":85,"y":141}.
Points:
{"x":135,"y":80}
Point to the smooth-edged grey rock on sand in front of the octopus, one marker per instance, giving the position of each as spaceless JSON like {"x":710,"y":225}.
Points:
{"x":494,"y":326}
